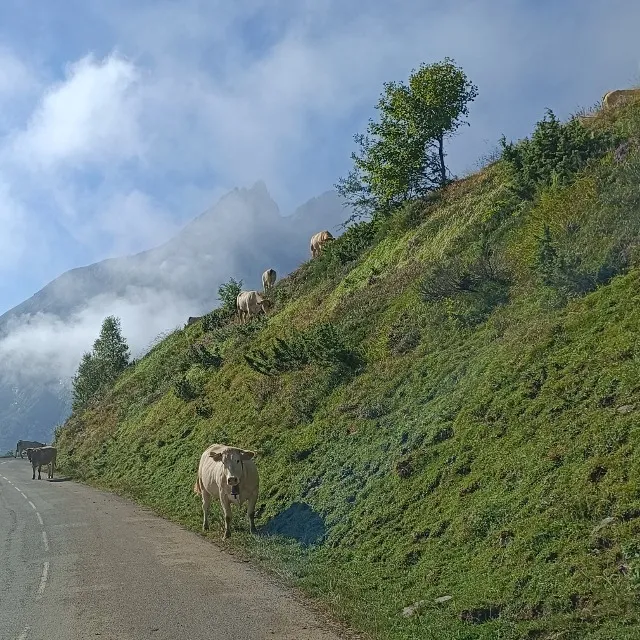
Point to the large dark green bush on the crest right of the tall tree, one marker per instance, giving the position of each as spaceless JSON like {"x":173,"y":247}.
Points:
{"x":555,"y":153}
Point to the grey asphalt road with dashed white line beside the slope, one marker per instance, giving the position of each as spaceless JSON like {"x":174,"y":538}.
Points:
{"x":76,"y":563}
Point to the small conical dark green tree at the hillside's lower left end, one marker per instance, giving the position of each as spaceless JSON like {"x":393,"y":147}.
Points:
{"x":99,"y":368}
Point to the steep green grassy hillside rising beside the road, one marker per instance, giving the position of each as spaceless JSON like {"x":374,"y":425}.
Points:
{"x":445,"y":404}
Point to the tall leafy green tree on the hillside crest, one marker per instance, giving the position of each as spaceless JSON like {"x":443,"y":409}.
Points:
{"x":402,"y":154}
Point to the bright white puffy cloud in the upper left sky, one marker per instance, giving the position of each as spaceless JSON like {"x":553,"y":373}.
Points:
{"x":92,"y":116}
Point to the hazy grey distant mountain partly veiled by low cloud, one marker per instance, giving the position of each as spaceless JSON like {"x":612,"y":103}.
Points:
{"x":240,"y":237}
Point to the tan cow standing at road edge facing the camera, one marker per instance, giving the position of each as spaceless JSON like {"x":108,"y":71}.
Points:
{"x":229,"y":474}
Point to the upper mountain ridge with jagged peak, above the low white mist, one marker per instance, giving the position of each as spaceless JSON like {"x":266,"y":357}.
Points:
{"x":258,"y":237}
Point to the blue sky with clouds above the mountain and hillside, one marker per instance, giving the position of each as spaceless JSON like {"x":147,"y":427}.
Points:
{"x":121,"y":120}
